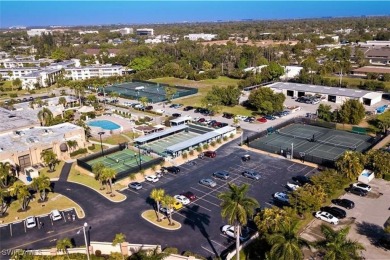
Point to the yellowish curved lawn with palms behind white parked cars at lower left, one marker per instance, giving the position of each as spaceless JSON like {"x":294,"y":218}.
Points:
{"x":55,"y":201}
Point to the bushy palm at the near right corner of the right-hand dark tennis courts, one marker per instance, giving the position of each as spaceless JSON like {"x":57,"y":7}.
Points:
{"x":351,"y":164}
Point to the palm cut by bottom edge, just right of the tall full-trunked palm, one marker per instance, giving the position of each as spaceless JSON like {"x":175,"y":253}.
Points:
{"x":286,"y":244}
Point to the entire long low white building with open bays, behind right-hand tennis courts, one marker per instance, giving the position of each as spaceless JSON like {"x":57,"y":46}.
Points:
{"x":330,"y":94}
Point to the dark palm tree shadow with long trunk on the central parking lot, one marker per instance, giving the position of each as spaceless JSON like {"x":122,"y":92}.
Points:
{"x":196,"y":219}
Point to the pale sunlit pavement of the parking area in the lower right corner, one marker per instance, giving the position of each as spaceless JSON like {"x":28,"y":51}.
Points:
{"x":367,"y":220}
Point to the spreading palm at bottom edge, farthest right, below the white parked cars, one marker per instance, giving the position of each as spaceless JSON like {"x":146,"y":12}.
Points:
{"x":336,"y":245}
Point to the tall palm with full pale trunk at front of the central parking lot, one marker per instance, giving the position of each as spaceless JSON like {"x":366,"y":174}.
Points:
{"x":236,"y":207}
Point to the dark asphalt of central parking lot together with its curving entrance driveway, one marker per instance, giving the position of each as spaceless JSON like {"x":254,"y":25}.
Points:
{"x":201,"y":220}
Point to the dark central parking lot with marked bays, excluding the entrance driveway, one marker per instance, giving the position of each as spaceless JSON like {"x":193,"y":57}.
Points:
{"x":201,"y":219}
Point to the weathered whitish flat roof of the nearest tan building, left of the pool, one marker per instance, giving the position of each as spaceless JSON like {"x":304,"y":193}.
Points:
{"x":23,"y":139}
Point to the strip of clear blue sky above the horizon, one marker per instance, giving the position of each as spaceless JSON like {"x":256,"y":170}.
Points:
{"x":44,"y":13}
